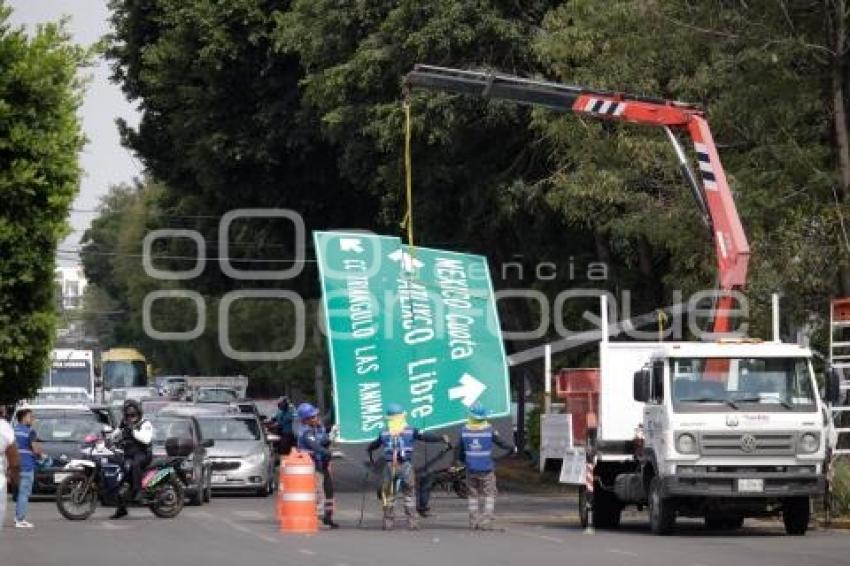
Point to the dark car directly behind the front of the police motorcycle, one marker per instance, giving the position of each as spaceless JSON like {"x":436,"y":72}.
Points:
{"x":61,"y":429}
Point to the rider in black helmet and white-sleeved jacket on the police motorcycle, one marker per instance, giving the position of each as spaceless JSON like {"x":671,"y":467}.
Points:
{"x":135,"y":436}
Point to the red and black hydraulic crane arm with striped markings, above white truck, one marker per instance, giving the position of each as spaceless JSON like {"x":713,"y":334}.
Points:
{"x":711,"y":193}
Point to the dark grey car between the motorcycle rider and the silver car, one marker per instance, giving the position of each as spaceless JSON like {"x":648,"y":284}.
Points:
{"x":197,"y":467}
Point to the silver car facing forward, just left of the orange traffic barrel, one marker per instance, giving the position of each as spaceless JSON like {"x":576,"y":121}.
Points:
{"x":242,"y":457}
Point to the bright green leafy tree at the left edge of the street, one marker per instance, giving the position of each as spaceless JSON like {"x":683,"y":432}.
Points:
{"x":40,"y":138}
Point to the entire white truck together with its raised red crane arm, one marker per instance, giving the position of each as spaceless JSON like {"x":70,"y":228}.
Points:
{"x":723,"y":429}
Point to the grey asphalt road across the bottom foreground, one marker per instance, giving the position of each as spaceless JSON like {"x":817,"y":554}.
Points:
{"x":542,"y":528}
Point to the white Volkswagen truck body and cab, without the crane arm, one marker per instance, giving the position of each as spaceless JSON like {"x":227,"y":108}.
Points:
{"x":722,"y":431}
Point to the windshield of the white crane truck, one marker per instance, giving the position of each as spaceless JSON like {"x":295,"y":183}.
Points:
{"x":747,"y":384}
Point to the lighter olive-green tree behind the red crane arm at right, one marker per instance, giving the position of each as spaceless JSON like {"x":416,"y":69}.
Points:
{"x":764,"y":73}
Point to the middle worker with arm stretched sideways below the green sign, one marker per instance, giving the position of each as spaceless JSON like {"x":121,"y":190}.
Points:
{"x":397,"y":442}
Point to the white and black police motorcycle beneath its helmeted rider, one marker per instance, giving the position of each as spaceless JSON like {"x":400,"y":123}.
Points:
{"x":98,"y":477}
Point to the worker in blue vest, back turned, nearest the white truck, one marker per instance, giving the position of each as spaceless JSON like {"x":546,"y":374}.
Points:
{"x":475,"y":449}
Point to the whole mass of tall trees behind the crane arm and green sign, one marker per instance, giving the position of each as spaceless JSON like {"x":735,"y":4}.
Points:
{"x":297,"y":104}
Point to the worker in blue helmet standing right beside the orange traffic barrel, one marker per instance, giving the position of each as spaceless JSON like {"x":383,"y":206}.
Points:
{"x":315,"y":440}
